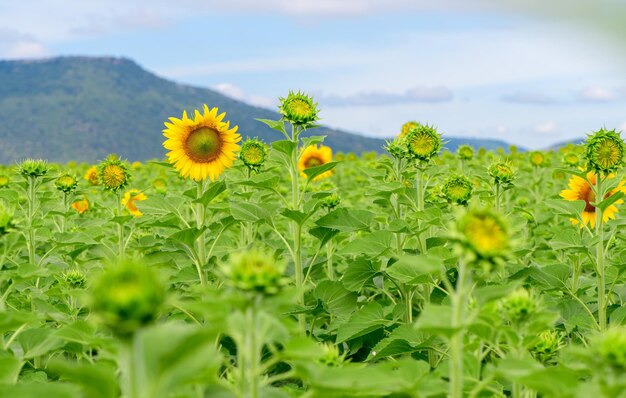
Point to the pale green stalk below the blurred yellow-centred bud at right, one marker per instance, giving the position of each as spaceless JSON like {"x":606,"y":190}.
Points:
{"x":456,"y":341}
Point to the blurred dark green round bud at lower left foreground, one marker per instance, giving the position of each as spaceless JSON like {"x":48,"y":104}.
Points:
{"x":128,"y":297}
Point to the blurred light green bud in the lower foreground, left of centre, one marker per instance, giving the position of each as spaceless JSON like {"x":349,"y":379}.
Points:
{"x":255,"y":271}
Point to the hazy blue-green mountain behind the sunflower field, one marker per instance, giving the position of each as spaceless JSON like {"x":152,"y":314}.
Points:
{"x":83,"y":108}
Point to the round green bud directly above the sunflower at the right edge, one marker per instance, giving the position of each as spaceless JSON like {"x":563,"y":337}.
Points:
{"x":604,"y":151}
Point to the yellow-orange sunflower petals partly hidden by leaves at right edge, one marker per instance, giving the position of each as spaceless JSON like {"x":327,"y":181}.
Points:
{"x":579,"y":189}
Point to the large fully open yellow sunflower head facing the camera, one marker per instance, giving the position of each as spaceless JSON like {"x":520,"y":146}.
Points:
{"x":201,"y":147}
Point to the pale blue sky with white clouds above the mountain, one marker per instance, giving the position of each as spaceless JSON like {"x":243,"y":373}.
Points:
{"x":522,"y":71}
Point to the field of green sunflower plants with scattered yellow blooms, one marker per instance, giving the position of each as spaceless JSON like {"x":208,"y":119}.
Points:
{"x":250,"y":269}
